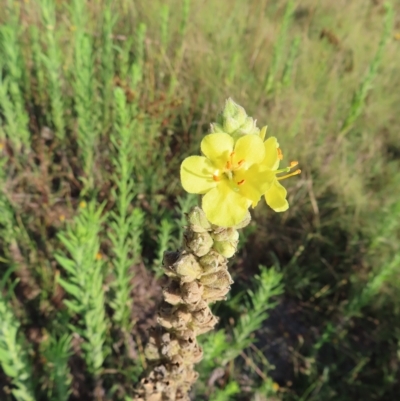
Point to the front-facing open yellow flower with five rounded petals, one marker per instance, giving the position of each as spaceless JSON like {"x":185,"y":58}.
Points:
{"x":230,"y":175}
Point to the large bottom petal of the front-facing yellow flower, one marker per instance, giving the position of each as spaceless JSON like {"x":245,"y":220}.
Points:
{"x":225,"y":207}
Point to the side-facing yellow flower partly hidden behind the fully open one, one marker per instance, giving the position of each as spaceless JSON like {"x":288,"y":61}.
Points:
{"x":275,"y":196}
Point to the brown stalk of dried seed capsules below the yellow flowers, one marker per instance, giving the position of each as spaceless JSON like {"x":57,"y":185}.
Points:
{"x":198,"y":276}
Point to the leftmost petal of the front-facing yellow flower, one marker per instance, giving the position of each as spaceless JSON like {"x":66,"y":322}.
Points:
{"x":197,"y":175}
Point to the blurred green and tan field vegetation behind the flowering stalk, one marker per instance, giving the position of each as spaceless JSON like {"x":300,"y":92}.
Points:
{"x":100,"y":101}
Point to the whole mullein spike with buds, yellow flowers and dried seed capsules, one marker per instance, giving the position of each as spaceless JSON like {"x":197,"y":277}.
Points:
{"x":238,"y":167}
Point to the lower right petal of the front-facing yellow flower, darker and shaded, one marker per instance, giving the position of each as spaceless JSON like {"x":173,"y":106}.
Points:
{"x":254,"y":182}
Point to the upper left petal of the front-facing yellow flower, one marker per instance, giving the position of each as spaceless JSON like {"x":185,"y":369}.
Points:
{"x":217,"y":148}
